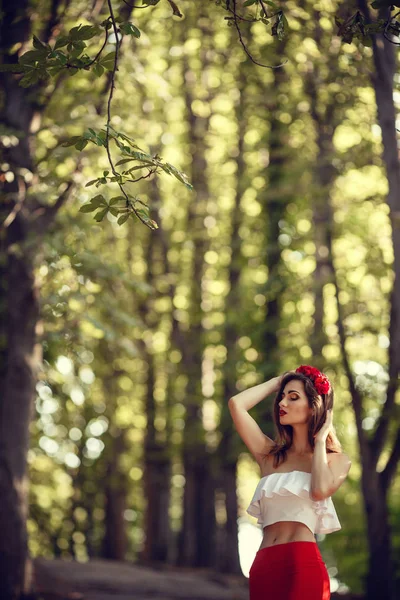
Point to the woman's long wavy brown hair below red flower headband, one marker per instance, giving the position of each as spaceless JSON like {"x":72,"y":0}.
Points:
{"x":320,"y":403}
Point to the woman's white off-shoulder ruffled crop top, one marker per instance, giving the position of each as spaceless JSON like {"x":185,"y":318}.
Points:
{"x":286,"y":497}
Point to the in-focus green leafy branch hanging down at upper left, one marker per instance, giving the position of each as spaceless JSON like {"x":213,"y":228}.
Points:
{"x":68,"y":53}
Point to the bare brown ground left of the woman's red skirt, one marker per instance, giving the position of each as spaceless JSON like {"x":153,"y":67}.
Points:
{"x":112,"y":580}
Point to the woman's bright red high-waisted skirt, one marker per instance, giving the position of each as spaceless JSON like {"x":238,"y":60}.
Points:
{"x":291,"y":571}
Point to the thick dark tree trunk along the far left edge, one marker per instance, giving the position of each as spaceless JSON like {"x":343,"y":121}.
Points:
{"x":19,"y":313}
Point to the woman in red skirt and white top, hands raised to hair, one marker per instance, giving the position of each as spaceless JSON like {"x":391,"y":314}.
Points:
{"x":300,"y":471}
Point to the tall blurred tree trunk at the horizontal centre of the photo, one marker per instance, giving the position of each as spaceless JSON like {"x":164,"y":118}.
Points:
{"x":197,"y":538}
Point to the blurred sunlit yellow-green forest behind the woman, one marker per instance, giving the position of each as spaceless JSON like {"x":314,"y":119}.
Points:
{"x":282,"y":254}
